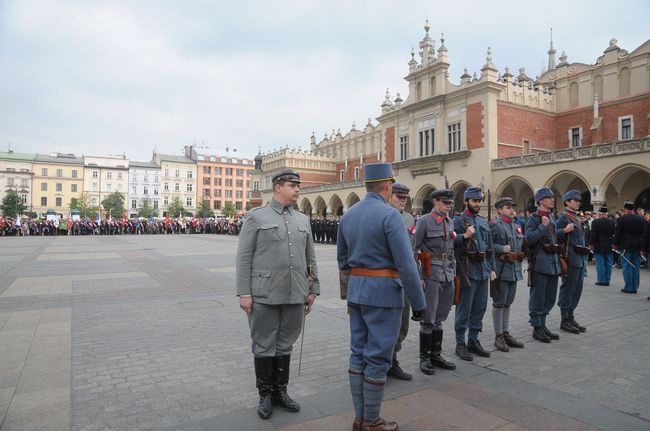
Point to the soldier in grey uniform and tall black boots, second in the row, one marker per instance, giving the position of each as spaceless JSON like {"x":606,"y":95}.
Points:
{"x":434,"y":238}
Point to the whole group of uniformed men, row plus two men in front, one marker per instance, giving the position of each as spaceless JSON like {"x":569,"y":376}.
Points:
{"x":394,"y":268}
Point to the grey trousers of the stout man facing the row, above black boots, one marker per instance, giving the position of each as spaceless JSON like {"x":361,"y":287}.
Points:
{"x":275,"y":328}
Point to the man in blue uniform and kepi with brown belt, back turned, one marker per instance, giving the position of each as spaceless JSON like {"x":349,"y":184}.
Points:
{"x":373,"y":248}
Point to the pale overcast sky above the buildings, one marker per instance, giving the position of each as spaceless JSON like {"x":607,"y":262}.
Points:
{"x":106,"y":77}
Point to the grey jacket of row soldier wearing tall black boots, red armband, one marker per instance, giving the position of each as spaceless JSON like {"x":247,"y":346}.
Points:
{"x":434,"y":233}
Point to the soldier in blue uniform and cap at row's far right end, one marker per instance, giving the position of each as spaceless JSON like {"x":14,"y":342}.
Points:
{"x":570,"y":233}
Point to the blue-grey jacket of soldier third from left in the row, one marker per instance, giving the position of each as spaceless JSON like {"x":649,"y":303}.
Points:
{"x":481,"y":241}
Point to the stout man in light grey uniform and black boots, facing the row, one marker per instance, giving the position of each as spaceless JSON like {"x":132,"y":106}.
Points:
{"x":277,"y":283}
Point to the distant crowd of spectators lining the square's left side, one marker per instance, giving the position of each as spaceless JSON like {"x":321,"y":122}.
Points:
{"x":115,"y":226}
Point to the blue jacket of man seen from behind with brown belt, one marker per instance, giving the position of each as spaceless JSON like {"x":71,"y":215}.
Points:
{"x":372,"y":235}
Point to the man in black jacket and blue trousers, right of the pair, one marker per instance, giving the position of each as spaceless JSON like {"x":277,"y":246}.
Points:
{"x":628,"y":240}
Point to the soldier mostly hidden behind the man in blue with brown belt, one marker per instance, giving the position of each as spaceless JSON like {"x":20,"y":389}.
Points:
{"x":398,"y":201}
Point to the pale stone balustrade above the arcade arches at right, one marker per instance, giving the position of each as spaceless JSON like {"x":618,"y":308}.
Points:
{"x":578,"y":153}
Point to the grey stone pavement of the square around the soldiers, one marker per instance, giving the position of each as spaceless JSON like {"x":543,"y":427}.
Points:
{"x":144,"y":333}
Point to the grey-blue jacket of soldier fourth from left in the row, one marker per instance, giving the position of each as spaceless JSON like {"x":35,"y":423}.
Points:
{"x":507,"y":233}
